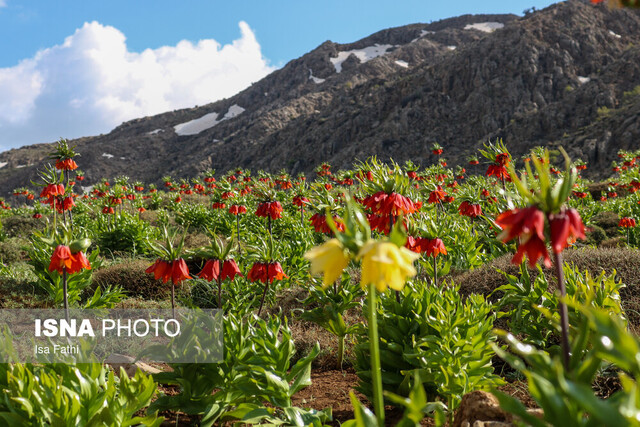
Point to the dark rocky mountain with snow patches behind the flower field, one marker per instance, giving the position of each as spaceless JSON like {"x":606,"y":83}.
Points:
{"x":566,"y":75}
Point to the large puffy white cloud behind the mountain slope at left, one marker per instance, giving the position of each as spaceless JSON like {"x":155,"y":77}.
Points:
{"x":91,"y":83}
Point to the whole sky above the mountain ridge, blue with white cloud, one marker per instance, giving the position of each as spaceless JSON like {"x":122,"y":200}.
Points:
{"x":63,"y":63}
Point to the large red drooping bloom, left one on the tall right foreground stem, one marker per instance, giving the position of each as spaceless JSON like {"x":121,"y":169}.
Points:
{"x":528,"y":225}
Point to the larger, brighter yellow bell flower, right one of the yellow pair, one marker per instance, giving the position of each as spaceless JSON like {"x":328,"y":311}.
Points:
{"x":385,"y":264}
